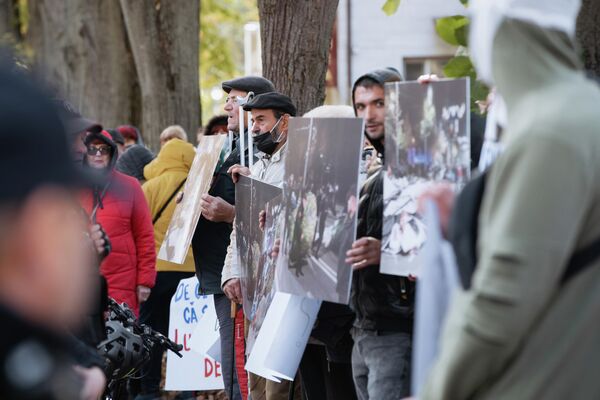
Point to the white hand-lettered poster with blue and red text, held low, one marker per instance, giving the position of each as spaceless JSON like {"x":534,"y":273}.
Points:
{"x":189,"y":312}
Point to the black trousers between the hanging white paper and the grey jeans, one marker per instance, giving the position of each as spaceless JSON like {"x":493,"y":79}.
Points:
{"x":324,"y":380}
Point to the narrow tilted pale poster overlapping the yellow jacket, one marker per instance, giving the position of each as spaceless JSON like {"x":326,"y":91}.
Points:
{"x":187,"y":213}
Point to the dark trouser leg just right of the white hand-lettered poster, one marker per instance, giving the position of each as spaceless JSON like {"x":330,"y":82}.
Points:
{"x":223,"y":308}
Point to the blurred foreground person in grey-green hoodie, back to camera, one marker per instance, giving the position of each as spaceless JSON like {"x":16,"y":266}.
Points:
{"x":527,"y":326}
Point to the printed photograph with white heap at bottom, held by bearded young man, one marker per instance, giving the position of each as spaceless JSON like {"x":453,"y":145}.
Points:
{"x":427,"y":140}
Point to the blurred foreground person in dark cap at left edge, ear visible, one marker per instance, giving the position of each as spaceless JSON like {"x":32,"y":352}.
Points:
{"x":45,"y":279}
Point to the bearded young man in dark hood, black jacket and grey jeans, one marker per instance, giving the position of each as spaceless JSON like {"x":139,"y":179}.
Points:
{"x":383,"y":303}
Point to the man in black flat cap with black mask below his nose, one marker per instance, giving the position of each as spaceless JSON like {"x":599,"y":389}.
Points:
{"x":271,"y":113}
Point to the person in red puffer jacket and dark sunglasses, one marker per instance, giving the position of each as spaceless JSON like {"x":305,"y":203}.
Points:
{"x":121,"y":208}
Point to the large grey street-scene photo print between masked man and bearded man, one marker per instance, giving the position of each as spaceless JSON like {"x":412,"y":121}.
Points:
{"x":320,"y":197}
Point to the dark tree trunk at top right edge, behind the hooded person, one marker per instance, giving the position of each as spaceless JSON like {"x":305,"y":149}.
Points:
{"x":588,"y":33}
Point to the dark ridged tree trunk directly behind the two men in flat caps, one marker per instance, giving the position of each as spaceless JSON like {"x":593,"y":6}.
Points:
{"x":295,"y":39}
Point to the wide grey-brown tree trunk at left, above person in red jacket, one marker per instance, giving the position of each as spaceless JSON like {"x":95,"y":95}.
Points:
{"x":81,"y":48}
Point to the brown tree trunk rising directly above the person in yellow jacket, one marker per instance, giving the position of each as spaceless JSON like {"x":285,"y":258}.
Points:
{"x":165,"y":50}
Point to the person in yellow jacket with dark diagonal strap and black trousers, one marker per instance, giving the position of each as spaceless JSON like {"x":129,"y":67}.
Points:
{"x":165,"y":177}
